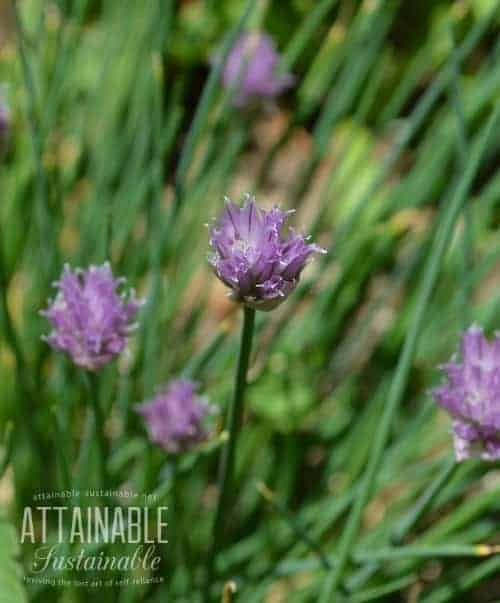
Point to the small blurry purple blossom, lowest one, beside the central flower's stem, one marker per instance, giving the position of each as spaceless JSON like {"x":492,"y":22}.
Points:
{"x":175,"y":416}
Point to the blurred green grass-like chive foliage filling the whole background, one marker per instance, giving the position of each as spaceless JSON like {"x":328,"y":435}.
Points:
{"x":123,"y":145}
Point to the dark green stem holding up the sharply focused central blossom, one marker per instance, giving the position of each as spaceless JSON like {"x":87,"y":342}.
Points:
{"x":227,"y":458}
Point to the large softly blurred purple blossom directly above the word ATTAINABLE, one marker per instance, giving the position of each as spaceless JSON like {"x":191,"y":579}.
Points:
{"x":91,"y":321}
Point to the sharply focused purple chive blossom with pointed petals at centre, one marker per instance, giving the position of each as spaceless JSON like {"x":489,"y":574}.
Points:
{"x":259,"y":264}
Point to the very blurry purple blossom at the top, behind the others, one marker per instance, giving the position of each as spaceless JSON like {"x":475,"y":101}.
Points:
{"x":251,"y":66}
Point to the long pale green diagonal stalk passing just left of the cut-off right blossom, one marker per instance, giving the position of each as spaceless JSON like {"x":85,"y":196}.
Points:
{"x":398,"y":385}
